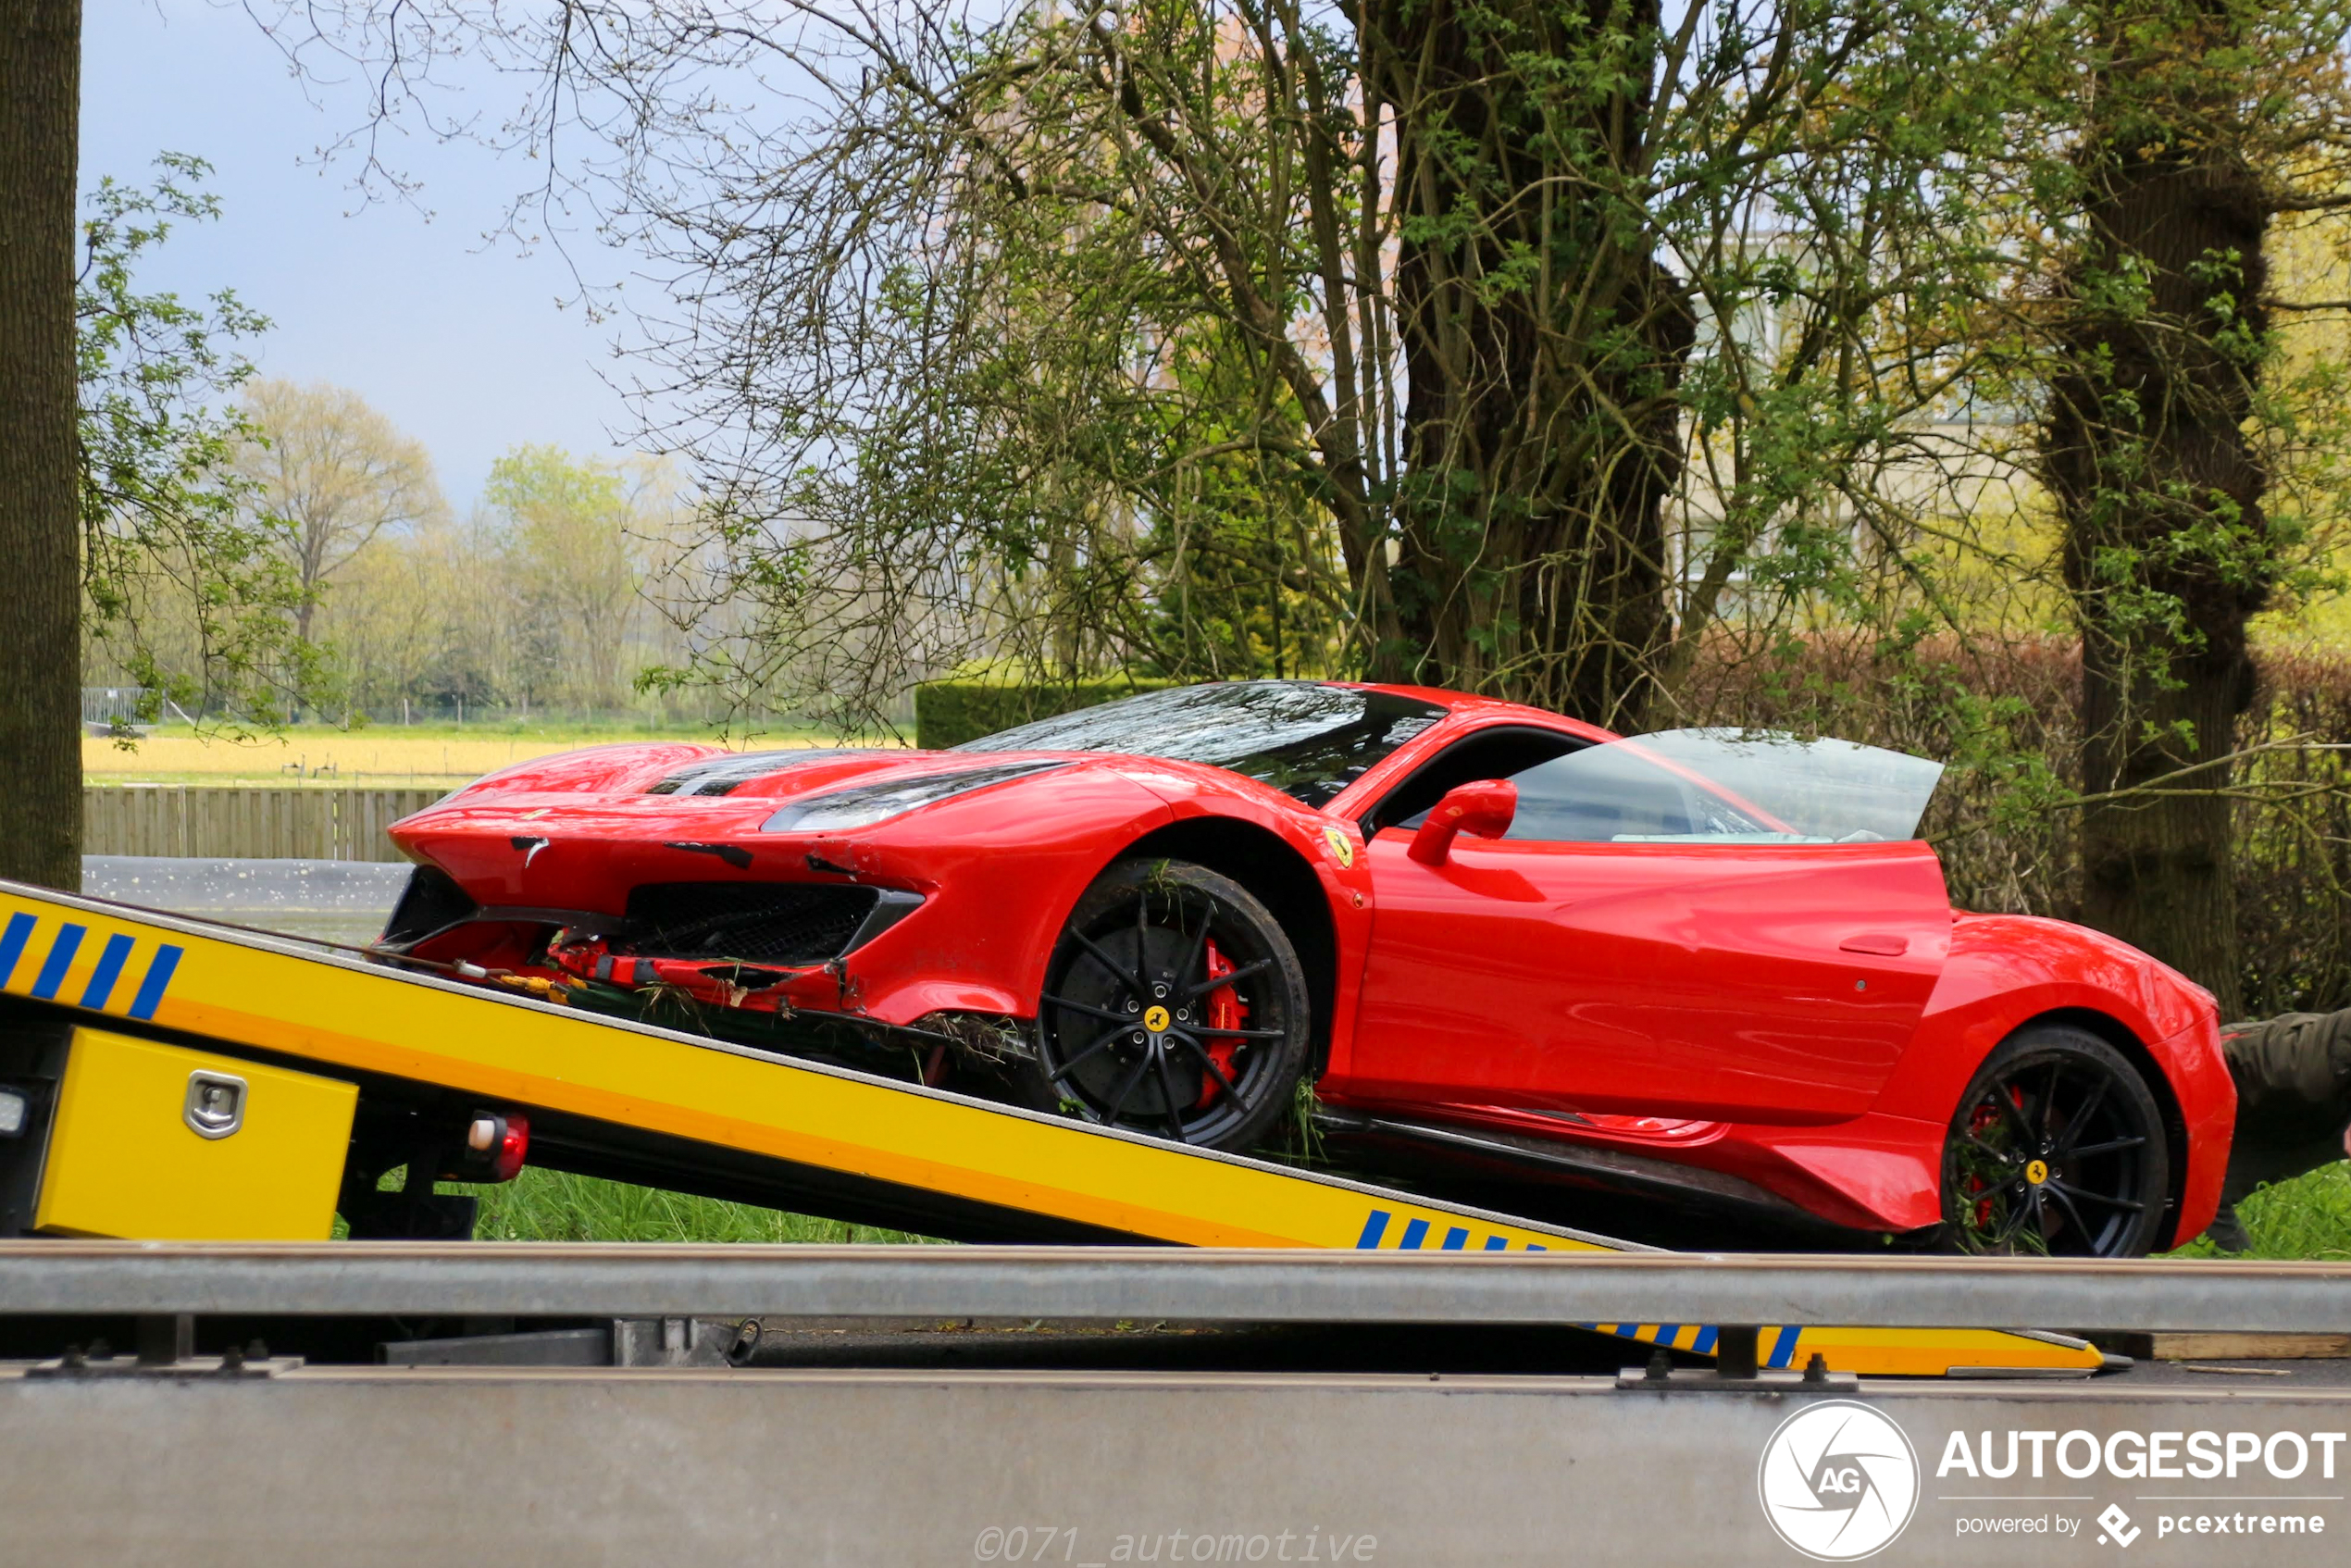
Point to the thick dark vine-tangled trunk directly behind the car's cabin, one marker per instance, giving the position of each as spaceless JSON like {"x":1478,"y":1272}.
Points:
{"x":1541,"y":431}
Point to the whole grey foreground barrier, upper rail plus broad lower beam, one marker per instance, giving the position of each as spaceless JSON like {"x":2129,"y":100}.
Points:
{"x":189,"y":1466}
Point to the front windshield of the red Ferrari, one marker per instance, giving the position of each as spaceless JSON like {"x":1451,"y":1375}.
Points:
{"x":1299,"y":737}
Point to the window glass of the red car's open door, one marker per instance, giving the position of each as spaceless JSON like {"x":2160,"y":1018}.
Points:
{"x":1767,"y":789}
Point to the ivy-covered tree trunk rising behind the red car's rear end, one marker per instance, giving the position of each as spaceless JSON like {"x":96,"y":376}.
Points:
{"x":2166,"y":547}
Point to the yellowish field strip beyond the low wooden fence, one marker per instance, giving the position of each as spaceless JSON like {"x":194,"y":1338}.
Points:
{"x":387,"y":756}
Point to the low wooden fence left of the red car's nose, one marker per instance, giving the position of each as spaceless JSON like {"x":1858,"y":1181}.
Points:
{"x":246,"y":822}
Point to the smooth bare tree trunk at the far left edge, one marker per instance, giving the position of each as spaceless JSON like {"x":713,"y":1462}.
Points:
{"x":41,"y":638}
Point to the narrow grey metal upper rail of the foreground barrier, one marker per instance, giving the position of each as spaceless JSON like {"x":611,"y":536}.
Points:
{"x":1127,"y":1282}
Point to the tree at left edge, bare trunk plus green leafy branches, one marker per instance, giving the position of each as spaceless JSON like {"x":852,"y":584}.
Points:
{"x":112,"y":478}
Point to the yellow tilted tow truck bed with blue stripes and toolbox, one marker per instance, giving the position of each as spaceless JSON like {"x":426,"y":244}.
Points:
{"x":180,"y":1021}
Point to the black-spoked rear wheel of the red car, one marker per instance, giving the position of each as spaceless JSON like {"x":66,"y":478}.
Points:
{"x":2058,"y":1148}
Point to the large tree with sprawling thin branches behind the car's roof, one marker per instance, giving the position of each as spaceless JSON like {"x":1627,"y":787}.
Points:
{"x":1548,"y":337}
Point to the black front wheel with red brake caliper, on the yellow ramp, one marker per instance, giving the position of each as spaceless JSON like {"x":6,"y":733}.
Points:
{"x":1144,"y":949}
